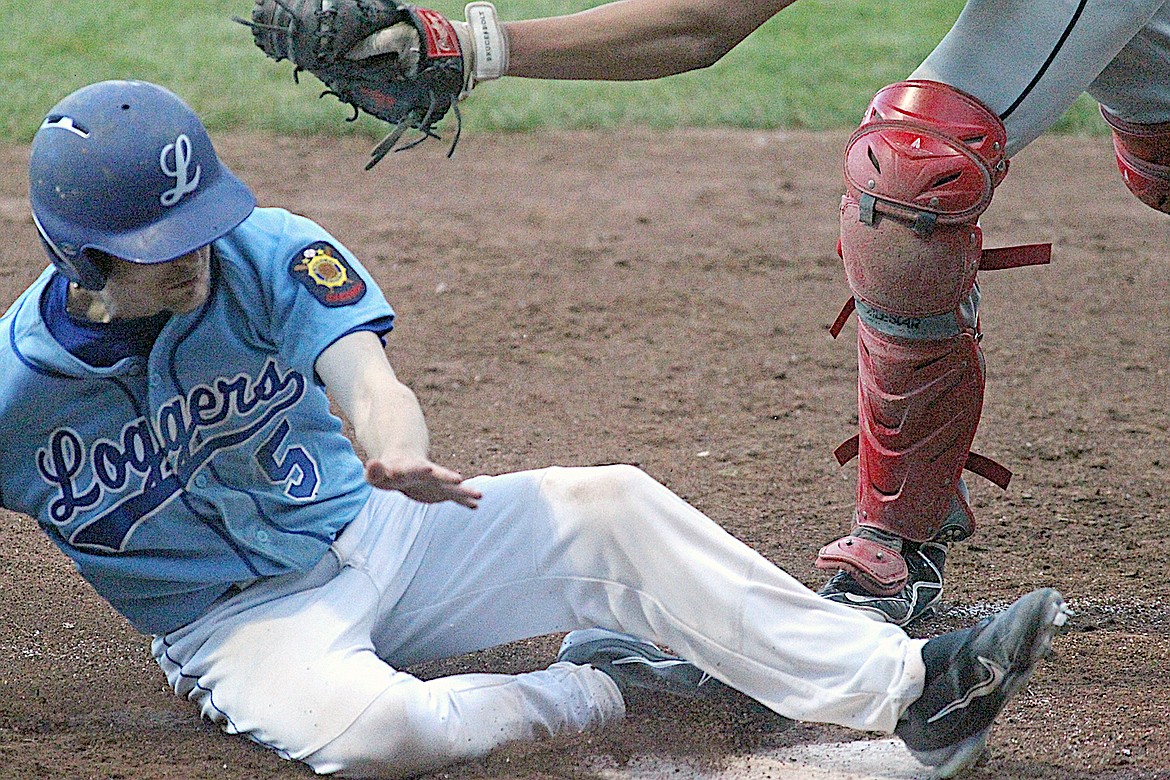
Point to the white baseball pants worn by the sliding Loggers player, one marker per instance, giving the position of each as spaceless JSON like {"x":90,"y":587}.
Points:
{"x":308,"y":665}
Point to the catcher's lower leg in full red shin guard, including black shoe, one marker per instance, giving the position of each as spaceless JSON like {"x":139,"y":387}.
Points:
{"x":919,"y":172}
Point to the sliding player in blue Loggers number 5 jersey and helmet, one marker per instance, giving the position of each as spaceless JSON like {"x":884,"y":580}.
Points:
{"x":166,"y":395}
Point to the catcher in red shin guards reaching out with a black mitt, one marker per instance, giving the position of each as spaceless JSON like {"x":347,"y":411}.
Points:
{"x":919,"y":172}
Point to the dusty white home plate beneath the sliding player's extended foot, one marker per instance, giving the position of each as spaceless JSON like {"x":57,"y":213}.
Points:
{"x":885,"y":760}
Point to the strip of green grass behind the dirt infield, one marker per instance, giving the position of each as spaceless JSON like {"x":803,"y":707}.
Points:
{"x":815,"y":66}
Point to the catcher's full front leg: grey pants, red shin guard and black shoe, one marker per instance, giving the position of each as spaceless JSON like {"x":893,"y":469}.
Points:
{"x":920,"y":171}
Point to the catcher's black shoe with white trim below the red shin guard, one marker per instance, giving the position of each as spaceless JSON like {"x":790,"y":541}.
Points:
{"x":918,"y":599}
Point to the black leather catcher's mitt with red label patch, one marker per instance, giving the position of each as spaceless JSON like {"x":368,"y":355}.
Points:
{"x":411,"y":84}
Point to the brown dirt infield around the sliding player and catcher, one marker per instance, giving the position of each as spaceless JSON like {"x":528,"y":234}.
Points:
{"x":664,"y":300}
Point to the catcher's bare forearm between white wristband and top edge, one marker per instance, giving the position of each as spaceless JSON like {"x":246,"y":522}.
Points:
{"x":632,"y":39}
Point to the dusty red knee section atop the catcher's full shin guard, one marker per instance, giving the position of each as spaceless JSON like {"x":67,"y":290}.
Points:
{"x":920,"y":170}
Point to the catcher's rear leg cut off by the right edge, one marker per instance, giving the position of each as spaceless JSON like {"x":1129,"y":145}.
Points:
{"x":1134,"y":92}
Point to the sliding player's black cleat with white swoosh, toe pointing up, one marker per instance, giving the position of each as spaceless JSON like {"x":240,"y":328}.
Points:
{"x":972,"y":674}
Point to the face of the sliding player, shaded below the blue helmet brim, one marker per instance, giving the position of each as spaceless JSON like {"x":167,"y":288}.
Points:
{"x":181,"y":286}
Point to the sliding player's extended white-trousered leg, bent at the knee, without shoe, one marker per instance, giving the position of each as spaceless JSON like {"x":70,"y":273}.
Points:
{"x":566,"y":549}
